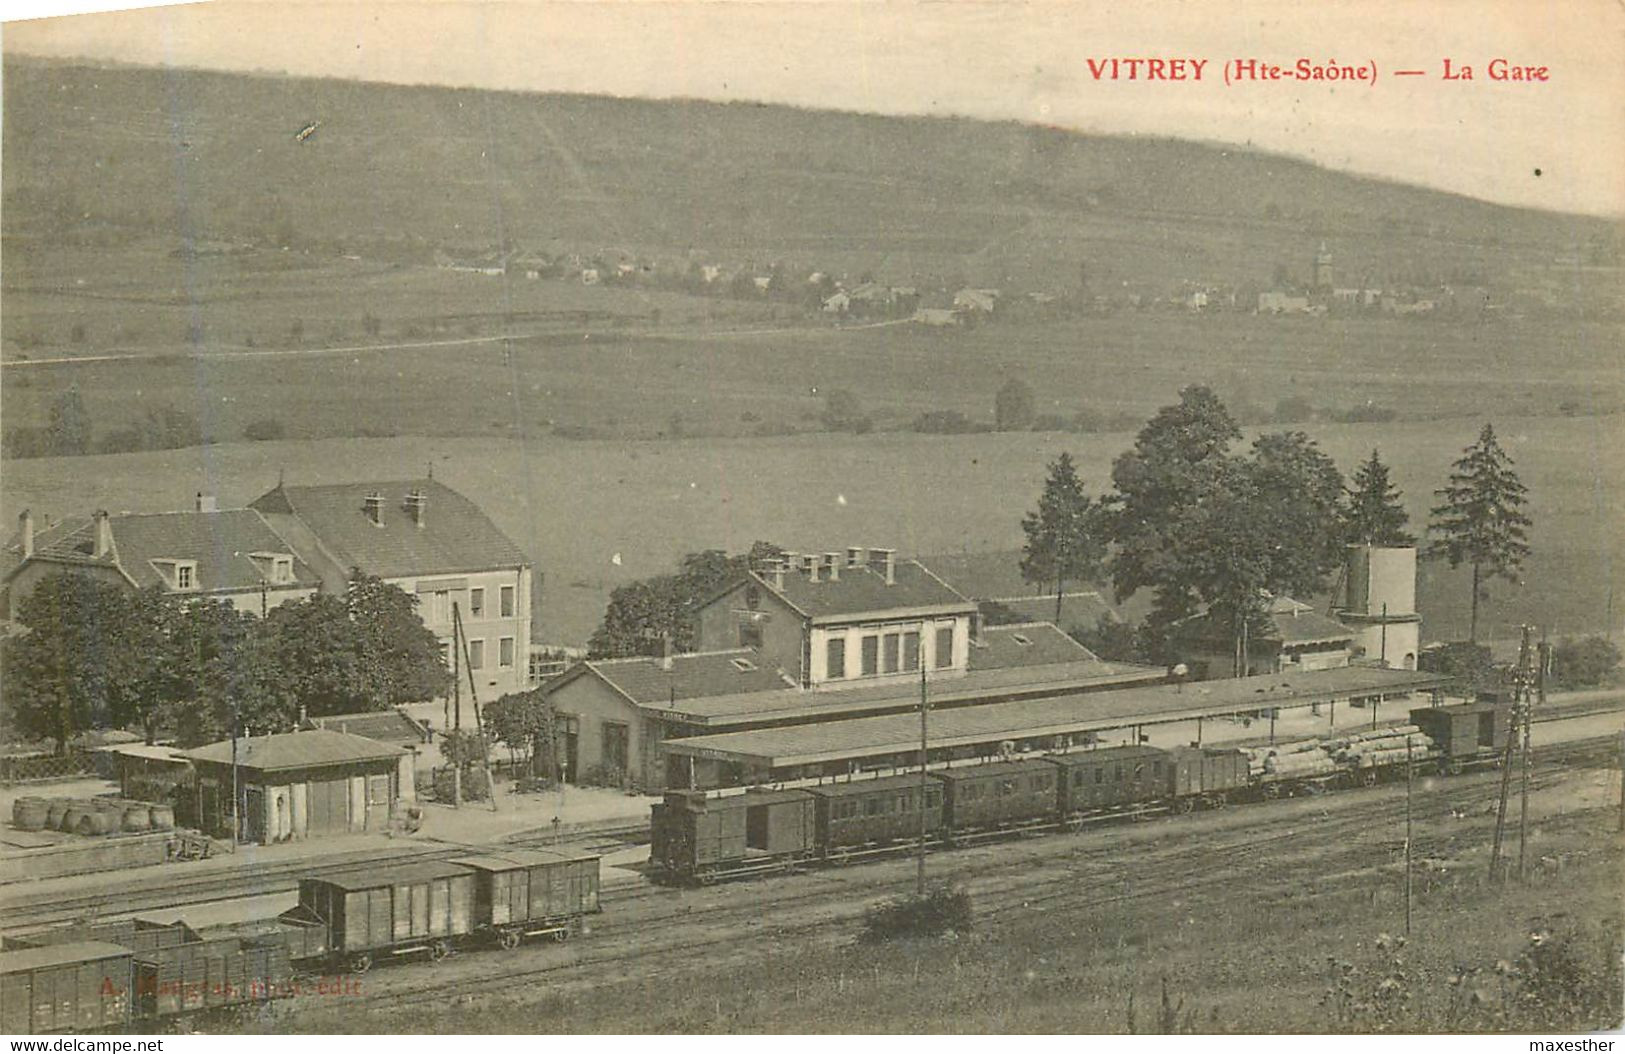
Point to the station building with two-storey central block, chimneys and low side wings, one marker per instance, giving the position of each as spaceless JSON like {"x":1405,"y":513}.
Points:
{"x":812,"y":641}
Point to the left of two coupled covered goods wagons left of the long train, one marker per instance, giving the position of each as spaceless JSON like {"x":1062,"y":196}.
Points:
{"x":397,"y":910}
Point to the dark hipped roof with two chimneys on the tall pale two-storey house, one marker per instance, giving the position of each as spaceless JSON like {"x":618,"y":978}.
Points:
{"x":456,"y":535}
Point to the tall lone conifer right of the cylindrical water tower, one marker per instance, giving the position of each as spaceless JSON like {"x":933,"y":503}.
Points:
{"x":1480,"y":521}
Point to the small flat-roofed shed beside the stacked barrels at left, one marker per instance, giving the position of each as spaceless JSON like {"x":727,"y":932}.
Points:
{"x":298,"y":785}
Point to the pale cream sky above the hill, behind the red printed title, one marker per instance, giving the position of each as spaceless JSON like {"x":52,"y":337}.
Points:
{"x":1549,"y":144}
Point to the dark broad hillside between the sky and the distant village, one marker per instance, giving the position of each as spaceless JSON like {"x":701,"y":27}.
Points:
{"x":215,"y":155}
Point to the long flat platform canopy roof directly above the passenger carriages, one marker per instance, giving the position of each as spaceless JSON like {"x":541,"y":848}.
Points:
{"x":968,"y":727}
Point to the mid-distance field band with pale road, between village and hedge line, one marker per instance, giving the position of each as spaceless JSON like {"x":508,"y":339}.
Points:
{"x":628,"y":365}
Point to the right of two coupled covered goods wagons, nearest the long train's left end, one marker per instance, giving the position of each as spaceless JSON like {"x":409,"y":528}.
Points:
{"x":532,"y":892}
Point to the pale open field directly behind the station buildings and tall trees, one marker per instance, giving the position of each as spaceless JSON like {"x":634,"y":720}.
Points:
{"x":574,"y":506}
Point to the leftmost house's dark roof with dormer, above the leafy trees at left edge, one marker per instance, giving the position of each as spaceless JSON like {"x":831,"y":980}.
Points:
{"x":220,"y":543}
